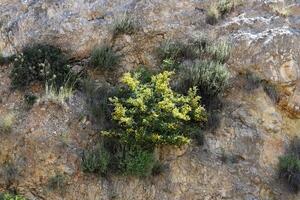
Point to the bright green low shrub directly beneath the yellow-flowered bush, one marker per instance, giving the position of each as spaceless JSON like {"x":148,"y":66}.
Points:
{"x":137,"y":162}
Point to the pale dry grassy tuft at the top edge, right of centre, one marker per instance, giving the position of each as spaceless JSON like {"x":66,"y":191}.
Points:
{"x":219,"y":8}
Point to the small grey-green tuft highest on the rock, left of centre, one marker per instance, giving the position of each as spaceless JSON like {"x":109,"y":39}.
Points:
{"x":124,"y":25}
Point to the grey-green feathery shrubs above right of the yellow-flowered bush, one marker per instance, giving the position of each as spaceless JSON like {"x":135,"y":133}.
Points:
{"x":200,"y":63}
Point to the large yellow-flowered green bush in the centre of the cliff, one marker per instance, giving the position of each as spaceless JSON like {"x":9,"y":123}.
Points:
{"x":153,"y":113}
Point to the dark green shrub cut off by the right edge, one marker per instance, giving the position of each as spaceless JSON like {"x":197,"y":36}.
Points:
{"x":289,"y":166}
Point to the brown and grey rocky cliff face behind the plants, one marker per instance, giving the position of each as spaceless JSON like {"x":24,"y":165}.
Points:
{"x":254,"y":129}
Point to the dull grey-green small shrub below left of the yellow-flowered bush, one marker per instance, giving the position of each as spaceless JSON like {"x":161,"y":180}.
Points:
{"x":96,"y":160}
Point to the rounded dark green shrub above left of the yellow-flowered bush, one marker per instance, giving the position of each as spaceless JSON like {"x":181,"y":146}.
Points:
{"x":104,"y":57}
